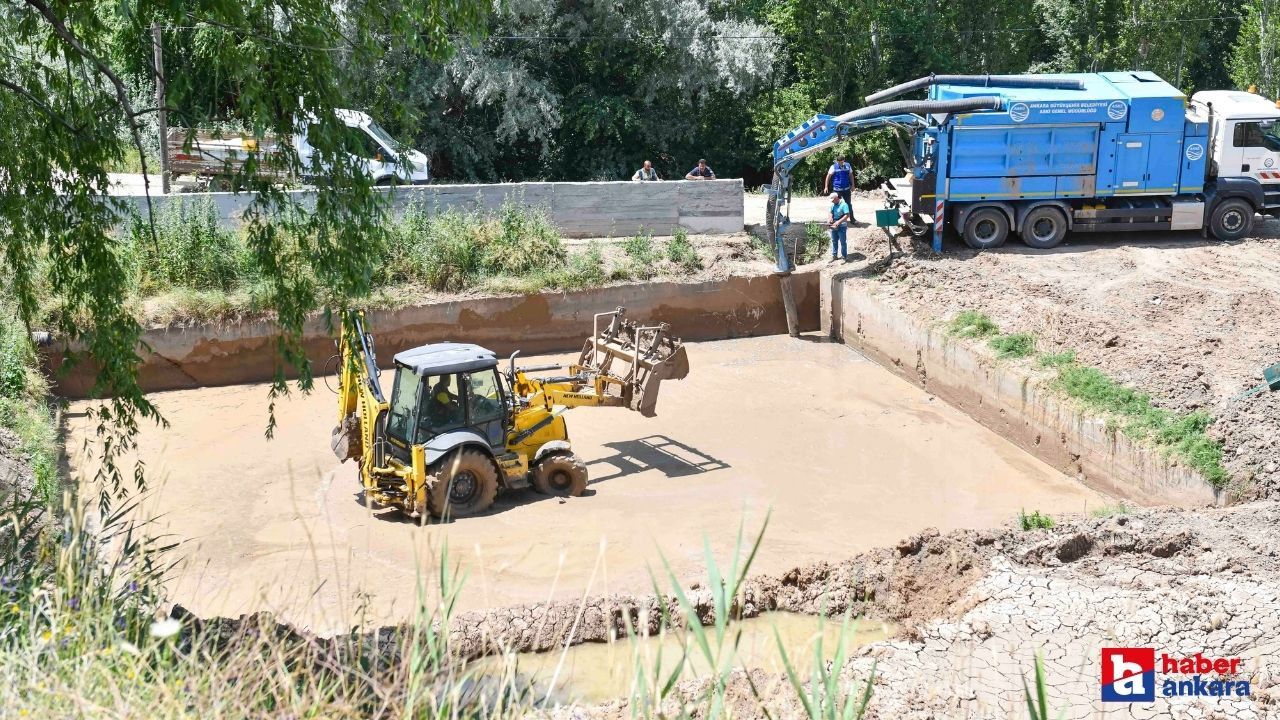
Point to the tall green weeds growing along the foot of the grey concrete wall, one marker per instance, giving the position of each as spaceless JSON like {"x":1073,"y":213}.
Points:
{"x":198,"y":271}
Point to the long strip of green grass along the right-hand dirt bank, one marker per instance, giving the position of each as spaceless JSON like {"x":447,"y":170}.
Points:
{"x":1181,"y":435}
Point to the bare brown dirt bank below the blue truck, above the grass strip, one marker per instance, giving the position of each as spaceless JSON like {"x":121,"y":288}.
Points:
{"x":1187,"y":321}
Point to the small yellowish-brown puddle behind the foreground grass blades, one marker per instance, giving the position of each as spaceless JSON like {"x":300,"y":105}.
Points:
{"x":593,"y":673}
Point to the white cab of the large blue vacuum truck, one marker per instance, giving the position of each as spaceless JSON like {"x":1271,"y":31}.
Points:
{"x":1245,"y":135}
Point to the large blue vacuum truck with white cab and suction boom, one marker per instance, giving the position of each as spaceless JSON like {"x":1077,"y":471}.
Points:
{"x":1045,"y":156}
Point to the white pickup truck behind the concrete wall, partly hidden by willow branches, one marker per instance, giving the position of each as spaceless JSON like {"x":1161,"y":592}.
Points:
{"x":220,"y":158}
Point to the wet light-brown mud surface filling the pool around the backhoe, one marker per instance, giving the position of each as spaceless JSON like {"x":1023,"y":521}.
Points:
{"x":845,"y":455}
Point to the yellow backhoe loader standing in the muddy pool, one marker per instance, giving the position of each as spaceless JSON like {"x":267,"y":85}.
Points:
{"x":456,"y":431}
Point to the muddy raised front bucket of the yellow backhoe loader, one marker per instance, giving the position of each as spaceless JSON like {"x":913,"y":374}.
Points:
{"x":648,"y":354}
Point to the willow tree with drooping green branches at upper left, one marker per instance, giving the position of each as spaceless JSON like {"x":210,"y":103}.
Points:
{"x":68,"y":115}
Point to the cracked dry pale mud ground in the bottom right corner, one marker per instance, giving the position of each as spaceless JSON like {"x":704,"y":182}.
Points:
{"x":1181,"y":582}
